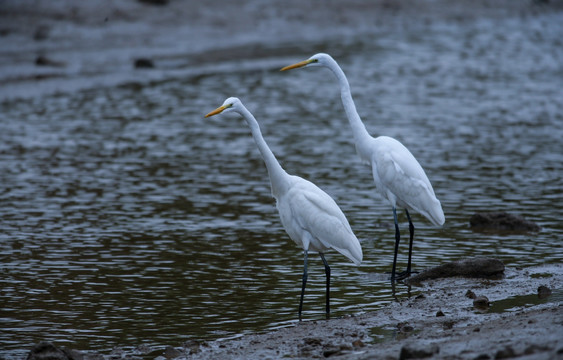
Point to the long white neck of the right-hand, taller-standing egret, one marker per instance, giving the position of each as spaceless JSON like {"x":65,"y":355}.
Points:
{"x":361,"y":135}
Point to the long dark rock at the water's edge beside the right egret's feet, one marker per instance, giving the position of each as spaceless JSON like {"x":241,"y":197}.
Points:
{"x":473,"y":267}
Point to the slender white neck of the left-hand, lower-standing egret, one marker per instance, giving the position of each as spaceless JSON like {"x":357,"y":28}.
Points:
{"x":279,"y":178}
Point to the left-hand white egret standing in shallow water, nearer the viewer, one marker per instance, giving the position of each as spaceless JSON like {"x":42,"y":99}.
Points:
{"x":310,"y":216}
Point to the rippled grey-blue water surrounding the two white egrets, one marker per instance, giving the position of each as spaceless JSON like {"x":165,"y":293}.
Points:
{"x":128,"y":219}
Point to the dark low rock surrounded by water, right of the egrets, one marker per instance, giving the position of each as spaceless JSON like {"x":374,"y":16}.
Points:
{"x":501,"y":221}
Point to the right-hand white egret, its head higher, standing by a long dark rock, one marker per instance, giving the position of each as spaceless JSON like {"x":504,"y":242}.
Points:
{"x":398,"y":177}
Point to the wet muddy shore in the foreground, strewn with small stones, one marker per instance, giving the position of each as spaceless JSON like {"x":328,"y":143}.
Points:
{"x":441,"y":322}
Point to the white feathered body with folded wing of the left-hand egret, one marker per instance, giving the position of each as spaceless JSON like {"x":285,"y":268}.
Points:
{"x":314,"y":220}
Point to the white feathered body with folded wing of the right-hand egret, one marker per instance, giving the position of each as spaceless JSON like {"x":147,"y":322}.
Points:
{"x":401,"y":179}
